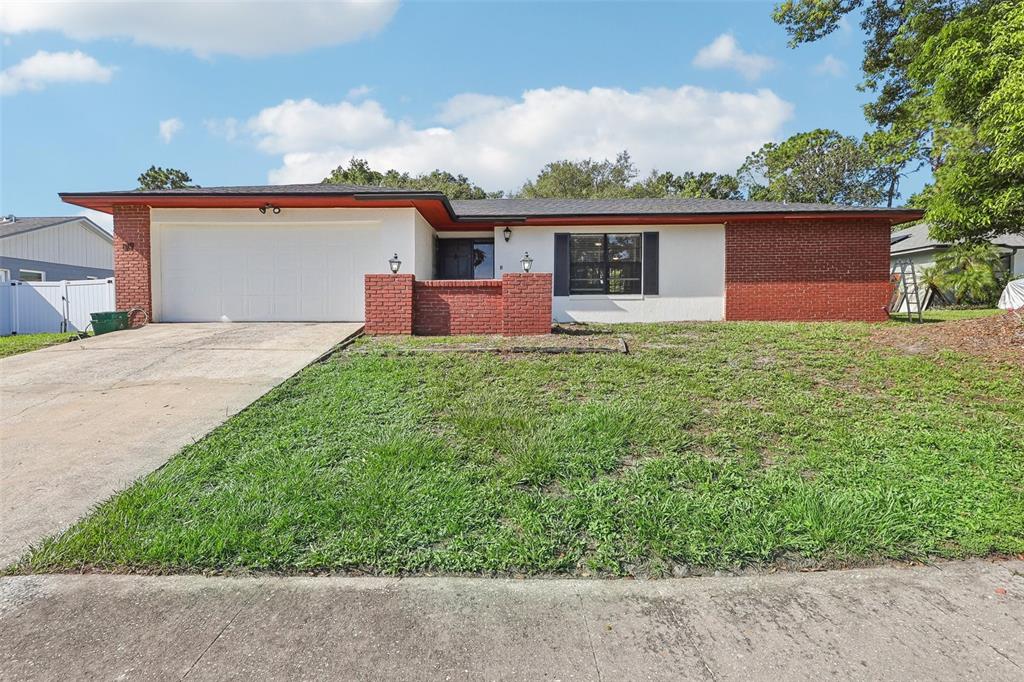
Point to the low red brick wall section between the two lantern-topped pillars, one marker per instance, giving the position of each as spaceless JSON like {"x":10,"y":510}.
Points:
{"x":457,"y":307}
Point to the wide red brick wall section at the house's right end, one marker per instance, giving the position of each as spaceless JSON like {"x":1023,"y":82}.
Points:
{"x":807,"y":270}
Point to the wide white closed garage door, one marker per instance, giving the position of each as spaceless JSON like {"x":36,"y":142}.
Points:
{"x":264,"y":274}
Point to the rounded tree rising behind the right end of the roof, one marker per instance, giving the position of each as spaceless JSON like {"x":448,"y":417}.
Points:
{"x":821,"y":166}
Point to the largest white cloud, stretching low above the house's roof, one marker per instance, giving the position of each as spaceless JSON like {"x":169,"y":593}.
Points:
{"x":503,"y":145}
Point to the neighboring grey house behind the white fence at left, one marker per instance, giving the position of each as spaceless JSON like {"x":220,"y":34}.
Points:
{"x":53,"y":249}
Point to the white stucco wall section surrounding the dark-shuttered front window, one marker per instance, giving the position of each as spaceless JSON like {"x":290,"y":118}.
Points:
{"x":692,"y":274}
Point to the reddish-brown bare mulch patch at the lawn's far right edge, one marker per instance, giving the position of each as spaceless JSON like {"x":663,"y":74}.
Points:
{"x":1000,"y":337}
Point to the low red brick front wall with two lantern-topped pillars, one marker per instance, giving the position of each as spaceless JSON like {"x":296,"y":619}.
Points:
{"x":519,"y":305}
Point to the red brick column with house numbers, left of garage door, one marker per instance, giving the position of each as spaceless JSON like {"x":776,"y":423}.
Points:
{"x":133,"y":272}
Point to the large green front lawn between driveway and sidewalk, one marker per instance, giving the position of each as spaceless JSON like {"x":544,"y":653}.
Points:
{"x":711,"y":446}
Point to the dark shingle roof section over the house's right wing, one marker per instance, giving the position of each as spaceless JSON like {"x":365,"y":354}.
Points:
{"x":554,"y":207}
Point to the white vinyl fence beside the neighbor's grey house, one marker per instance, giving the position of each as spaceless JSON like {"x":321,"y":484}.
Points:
{"x":33,"y":308}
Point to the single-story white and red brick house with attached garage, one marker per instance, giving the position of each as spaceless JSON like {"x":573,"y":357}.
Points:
{"x":307,"y":252}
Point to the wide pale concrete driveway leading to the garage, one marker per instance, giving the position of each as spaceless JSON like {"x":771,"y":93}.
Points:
{"x":82,"y":420}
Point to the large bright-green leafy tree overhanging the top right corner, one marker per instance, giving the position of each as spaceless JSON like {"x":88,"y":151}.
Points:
{"x":949,"y":78}
